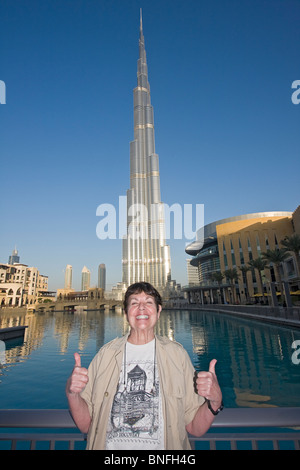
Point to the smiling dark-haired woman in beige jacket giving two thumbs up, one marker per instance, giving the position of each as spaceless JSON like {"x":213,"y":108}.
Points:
{"x":140,"y":391}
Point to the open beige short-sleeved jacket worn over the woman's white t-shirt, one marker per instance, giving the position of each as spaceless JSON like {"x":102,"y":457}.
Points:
{"x":179,"y":400}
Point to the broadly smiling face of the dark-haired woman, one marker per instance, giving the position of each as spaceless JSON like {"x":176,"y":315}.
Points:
{"x":142,"y":313}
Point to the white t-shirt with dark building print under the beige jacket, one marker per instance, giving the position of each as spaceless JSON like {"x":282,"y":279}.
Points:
{"x":136,"y":420}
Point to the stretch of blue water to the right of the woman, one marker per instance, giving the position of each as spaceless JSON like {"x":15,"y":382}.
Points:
{"x":254,"y":365}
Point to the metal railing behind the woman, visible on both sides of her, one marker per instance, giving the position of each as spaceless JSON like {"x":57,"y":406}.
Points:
{"x":233,"y":428}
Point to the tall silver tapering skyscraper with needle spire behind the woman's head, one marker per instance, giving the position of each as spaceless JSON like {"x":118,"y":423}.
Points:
{"x":146,"y":257}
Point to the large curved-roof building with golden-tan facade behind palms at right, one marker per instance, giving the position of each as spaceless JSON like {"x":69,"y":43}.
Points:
{"x":231,"y":244}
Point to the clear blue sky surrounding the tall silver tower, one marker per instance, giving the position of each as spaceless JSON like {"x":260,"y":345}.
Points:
{"x":227,"y":132}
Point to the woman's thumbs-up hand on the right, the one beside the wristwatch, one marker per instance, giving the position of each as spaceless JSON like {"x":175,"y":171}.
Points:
{"x":207,"y":385}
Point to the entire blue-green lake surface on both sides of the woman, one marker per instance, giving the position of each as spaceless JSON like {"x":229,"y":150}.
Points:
{"x":254,"y":365}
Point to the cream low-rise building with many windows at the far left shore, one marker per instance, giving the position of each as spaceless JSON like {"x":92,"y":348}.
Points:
{"x":21,"y":285}
